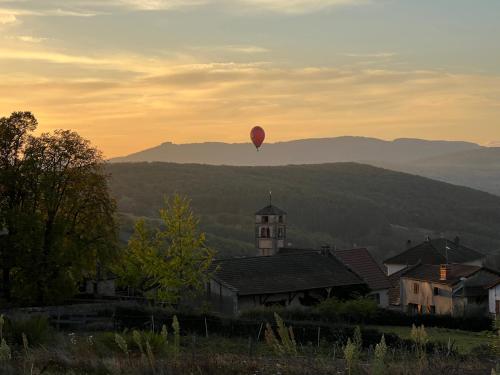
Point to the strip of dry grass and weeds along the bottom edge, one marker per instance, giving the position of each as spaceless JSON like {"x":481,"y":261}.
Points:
{"x":97,"y":354}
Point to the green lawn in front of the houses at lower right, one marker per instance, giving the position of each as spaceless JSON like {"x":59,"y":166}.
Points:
{"x":464,"y":341}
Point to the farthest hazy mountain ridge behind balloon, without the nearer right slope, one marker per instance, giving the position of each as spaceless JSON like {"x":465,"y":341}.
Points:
{"x":306,"y":151}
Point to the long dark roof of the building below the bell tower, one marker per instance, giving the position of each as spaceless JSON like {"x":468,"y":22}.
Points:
{"x":283,"y":273}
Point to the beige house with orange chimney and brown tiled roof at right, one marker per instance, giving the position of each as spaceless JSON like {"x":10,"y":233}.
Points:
{"x":454,"y":289}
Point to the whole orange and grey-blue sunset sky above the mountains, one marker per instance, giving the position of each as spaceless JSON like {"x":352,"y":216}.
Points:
{"x":130,"y":74}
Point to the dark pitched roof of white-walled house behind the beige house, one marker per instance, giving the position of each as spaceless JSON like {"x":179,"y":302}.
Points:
{"x":434,"y":251}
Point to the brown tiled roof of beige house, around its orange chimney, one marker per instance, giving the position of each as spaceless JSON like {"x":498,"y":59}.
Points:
{"x":431,"y":272}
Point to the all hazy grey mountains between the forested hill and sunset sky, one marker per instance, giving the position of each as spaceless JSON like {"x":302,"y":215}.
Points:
{"x":461,"y":163}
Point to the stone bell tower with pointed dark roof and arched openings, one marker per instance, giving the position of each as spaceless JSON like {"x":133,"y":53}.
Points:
{"x":270,"y":229}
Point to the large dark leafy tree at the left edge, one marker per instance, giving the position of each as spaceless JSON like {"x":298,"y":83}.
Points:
{"x":56,"y":211}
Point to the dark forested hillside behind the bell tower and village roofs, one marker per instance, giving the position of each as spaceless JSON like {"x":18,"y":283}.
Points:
{"x":342,"y":204}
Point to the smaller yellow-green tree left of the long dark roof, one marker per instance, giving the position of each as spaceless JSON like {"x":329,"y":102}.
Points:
{"x":170,"y":262}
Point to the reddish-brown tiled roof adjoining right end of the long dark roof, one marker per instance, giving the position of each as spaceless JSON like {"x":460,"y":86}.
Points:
{"x":361,"y":262}
